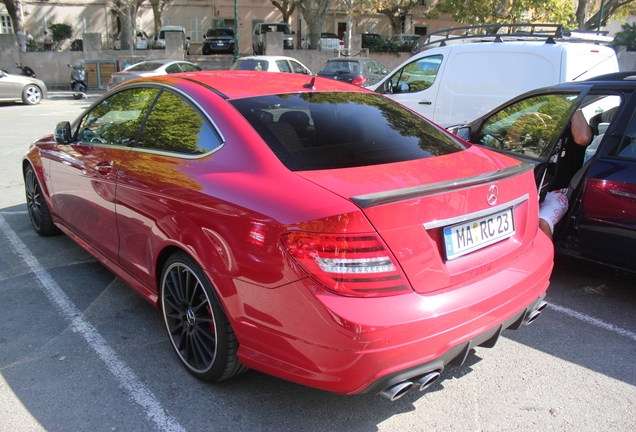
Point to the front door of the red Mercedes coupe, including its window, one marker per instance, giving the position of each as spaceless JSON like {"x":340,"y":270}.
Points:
{"x":83,"y":173}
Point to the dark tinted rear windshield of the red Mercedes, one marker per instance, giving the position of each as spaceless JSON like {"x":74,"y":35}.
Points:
{"x":317,"y":131}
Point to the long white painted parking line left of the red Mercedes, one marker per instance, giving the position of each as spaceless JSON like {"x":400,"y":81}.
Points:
{"x":124,"y":375}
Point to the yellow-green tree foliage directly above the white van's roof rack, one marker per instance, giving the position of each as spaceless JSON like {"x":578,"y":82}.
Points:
{"x":496,"y":11}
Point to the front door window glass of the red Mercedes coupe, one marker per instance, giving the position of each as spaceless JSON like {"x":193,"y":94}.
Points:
{"x":117,"y":119}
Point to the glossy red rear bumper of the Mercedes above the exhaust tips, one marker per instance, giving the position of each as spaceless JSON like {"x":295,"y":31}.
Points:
{"x":351,"y":345}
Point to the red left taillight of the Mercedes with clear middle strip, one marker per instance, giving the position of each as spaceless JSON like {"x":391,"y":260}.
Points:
{"x":347,"y":264}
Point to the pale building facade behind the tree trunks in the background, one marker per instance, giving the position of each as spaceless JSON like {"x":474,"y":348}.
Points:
{"x":197,"y":16}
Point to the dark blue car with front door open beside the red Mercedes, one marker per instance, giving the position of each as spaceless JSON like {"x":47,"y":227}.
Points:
{"x":600,"y":224}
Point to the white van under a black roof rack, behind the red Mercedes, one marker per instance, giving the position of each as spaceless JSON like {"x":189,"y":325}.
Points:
{"x":455,"y":84}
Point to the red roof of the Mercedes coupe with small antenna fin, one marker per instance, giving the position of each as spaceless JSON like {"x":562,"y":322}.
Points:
{"x":232,"y":83}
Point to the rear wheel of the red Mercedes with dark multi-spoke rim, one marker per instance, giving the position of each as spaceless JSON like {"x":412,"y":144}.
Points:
{"x":197,"y":326}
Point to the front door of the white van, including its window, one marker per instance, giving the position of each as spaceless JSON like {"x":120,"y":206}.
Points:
{"x":415,"y":85}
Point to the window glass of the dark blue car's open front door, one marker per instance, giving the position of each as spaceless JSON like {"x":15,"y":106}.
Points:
{"x":528,"y":127}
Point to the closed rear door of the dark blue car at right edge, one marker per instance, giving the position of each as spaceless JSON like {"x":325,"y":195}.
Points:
{"x":607,"y":225}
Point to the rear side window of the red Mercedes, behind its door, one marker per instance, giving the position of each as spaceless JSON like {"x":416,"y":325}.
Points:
{"x":175,"y":125}
